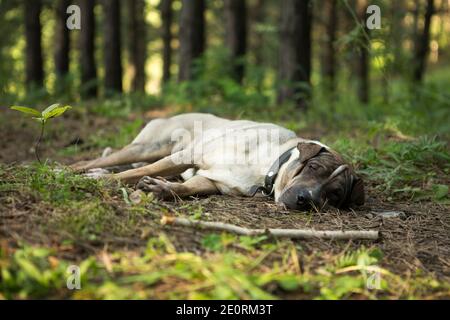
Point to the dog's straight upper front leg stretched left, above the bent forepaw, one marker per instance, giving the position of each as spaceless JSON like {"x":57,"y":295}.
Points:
{"x":169,"y":166}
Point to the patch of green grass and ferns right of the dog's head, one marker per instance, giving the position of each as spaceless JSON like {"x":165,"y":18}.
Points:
{"x":415,"y":169}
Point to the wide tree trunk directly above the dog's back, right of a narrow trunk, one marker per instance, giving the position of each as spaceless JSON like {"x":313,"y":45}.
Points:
{"x":192,"y":36}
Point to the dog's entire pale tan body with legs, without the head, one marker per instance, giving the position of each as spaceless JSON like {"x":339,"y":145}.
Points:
{"x":199,"y":148}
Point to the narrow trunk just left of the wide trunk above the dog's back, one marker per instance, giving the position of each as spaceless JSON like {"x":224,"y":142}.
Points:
{"x":167,"y":16}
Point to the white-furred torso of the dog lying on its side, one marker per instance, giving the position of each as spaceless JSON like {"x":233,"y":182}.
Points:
{"x":215,"y":145}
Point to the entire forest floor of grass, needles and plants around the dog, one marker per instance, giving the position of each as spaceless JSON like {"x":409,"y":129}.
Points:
{"x":52,"y":219}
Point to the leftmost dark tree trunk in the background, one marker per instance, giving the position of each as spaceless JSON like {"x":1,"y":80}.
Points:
{"x":34,"y":68}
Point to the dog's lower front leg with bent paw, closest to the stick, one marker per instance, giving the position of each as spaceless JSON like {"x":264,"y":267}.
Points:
{"x":162,"y":189}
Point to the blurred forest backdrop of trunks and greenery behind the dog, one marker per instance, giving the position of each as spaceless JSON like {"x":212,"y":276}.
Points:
{"x":230,"y":57}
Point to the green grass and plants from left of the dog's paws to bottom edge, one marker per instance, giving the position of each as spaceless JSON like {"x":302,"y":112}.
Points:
{"x":82,"y":212}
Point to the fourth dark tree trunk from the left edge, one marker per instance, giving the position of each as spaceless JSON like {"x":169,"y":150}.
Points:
{"x":112,"y":40}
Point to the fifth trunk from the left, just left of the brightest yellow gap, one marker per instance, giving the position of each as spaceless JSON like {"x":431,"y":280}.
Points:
{"x":137,"y":43}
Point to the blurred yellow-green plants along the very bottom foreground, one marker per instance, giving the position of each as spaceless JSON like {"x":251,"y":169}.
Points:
{"x":160,"y":271}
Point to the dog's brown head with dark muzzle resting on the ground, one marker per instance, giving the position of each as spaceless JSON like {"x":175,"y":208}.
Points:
{"x":318,"y":177}
